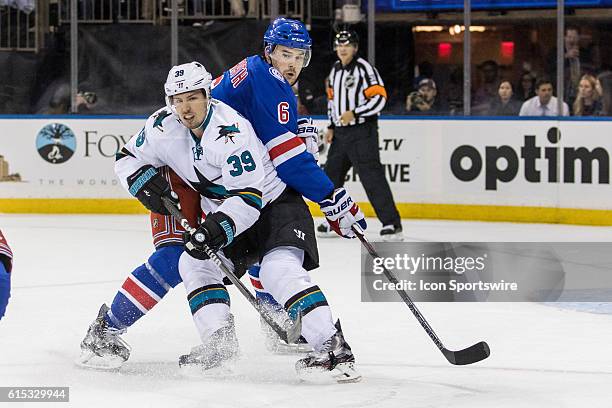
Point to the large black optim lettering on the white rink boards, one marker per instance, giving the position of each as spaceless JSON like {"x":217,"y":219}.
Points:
{"x":558,"y":164}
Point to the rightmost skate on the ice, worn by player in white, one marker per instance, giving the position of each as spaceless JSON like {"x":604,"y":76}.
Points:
{"x":335,"y":361}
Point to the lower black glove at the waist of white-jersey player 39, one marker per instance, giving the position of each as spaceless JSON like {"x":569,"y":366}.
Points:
{"x":216,"y":232}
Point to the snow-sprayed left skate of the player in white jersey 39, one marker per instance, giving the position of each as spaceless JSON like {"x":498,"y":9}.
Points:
{"x":222,"y":347}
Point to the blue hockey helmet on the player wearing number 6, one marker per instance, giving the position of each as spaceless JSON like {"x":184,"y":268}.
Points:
{"x":290,"y":33}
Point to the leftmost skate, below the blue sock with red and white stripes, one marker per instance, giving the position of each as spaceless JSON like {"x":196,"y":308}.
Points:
{"x":103,"y":348}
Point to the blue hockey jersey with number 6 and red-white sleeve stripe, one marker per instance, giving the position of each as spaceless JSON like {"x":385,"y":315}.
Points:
{"x":260,"y":93}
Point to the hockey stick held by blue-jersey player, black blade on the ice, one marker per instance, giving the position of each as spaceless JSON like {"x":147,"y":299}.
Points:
{"x":470,"y":355}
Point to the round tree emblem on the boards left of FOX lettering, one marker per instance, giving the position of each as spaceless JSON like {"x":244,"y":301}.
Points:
{"x":56,"y":143}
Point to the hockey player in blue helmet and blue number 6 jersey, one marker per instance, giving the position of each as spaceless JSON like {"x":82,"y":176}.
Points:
{"x":260,"y":89}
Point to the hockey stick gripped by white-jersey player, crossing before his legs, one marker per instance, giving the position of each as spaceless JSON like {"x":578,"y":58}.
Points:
{"x":291,"y":335}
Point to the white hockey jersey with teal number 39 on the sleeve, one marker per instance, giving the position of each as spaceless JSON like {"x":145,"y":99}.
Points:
{"x":229,"y":166}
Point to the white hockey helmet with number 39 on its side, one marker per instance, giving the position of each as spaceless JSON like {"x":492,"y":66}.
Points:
{"x":186,"y":78}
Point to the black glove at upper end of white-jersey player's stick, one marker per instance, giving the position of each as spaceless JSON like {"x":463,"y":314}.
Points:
{"x":149,"y":186}
